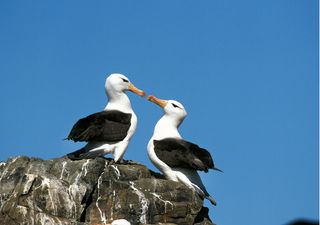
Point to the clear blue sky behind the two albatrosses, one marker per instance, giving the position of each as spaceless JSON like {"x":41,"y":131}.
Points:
{"x":246,"y":72}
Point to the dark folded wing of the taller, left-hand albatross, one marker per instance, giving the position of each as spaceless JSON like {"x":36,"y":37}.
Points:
{"x":110,"y":126}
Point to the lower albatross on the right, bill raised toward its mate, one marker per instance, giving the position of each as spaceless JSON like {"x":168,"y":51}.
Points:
{"x":178,"y":159}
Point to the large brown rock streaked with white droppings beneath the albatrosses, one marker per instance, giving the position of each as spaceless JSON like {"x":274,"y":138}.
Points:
{"x":96,"y":191}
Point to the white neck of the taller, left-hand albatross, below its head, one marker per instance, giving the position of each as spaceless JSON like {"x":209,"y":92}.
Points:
{"x":118,"y":101}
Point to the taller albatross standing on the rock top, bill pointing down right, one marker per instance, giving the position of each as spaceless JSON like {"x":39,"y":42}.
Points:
{"x":110,"y":130}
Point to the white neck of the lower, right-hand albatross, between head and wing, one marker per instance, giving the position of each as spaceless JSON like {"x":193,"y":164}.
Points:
{"x":166,"y":127}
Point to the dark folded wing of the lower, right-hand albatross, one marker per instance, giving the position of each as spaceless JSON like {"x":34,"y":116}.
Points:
{"x":179,"y":153}
